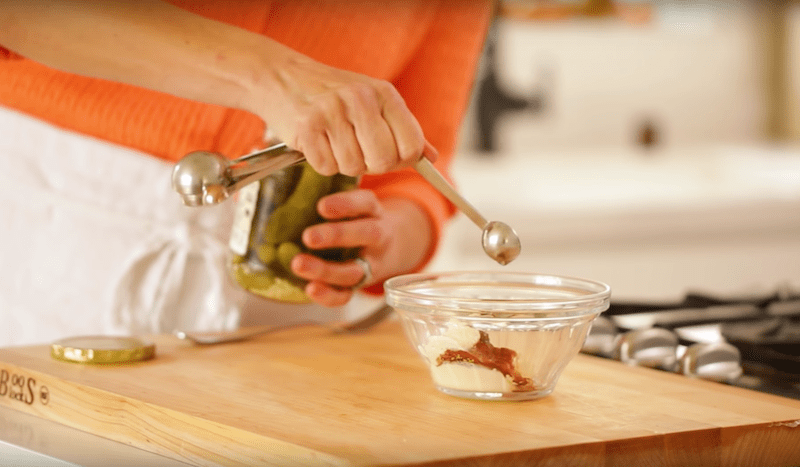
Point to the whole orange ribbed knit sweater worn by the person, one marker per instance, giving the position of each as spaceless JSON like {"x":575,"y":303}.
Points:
{"x":428,"y":49}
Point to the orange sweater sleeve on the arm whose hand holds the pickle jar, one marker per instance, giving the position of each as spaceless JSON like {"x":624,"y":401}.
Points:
{"x":436,"y":85}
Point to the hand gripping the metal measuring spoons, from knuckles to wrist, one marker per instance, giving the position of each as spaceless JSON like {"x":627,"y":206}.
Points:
{"x":343,"y":122}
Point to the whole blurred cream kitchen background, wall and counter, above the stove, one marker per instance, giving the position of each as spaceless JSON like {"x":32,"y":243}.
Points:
{"x":654,"y":145}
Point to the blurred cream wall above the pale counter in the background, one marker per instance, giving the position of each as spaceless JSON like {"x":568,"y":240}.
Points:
{"x":689,"y":72}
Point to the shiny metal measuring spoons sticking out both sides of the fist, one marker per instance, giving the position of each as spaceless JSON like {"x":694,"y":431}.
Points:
{"x":204,"y":178}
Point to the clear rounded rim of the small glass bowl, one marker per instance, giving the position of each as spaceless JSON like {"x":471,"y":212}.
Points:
{"x":595,"y":300}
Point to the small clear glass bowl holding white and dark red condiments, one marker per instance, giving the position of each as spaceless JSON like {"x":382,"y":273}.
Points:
{"x":496,"y":335}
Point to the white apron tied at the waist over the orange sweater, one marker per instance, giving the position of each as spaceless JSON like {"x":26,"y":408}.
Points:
{"x":97,"y":242}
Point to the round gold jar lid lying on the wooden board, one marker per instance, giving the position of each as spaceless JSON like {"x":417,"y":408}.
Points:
{"x":102,"y":349}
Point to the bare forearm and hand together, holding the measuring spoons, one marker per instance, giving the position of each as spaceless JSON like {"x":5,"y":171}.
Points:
{"x":344,"y":122}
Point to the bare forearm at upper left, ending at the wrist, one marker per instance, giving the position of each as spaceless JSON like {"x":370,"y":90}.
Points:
{"x":146,"y":43}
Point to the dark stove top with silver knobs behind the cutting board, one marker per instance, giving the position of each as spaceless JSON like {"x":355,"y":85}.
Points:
{"x":746,"y":341}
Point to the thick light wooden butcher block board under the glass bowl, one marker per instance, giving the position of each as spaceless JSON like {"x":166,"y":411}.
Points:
{"x":307,"y":397}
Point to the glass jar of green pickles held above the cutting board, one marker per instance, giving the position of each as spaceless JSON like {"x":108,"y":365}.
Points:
{"x":271,"y":215}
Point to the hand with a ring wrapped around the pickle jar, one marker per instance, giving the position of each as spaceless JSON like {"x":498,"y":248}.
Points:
{"x":394,"y":236}
